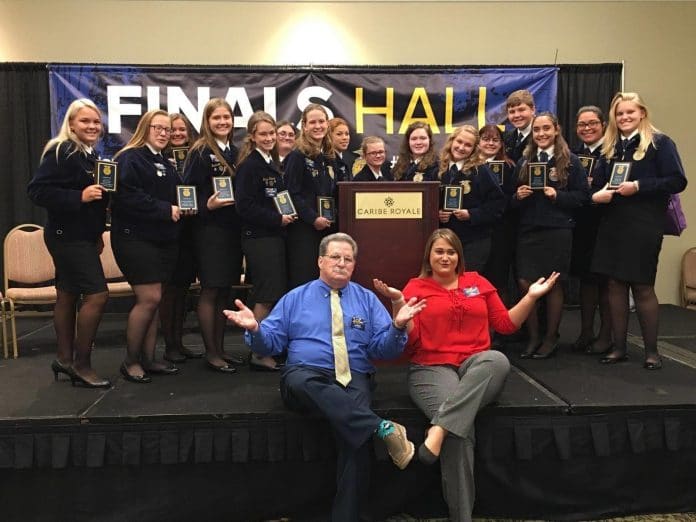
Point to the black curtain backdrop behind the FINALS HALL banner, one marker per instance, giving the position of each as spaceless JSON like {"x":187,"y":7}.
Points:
{"x":25,"y":111}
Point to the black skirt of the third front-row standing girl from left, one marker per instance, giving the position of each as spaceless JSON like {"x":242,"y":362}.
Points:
{"x":218,"y":255}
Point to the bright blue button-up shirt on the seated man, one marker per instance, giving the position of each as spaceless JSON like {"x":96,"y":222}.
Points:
{"x":301,"y":324}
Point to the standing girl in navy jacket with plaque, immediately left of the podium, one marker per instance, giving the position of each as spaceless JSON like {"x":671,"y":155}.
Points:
{"x":310,"y":172}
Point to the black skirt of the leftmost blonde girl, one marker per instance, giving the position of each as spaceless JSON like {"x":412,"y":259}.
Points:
{"x":78,"y":267}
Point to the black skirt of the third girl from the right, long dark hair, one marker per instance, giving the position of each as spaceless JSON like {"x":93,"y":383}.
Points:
{"x":541,"y":251}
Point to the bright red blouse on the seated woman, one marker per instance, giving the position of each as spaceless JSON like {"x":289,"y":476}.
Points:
{"x":455,"y":323}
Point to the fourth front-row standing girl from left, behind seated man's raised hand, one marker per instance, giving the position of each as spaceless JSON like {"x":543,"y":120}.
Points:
{"x":264,"y":228}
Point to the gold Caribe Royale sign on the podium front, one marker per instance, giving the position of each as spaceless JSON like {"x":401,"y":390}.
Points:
{"x":388,"y":205}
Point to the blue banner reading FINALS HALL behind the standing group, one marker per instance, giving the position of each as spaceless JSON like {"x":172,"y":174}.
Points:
{"x":380,"y":101}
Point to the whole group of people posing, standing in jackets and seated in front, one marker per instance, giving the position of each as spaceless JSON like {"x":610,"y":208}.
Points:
{"x":307,"y":308}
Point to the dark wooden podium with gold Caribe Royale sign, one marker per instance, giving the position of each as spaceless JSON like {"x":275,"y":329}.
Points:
{"x":391,"y":221}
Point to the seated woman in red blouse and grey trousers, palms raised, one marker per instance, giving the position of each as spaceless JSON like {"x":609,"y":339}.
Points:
{"x":453,"y":374}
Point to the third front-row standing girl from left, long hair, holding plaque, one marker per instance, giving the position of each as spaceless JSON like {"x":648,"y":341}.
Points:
{"x":217,"y":232}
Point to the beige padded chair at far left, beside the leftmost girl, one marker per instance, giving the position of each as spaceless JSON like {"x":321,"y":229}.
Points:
{"x":29,"y":273}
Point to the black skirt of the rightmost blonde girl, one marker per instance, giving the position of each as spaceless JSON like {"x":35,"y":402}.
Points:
{"x":629,"y":240}
